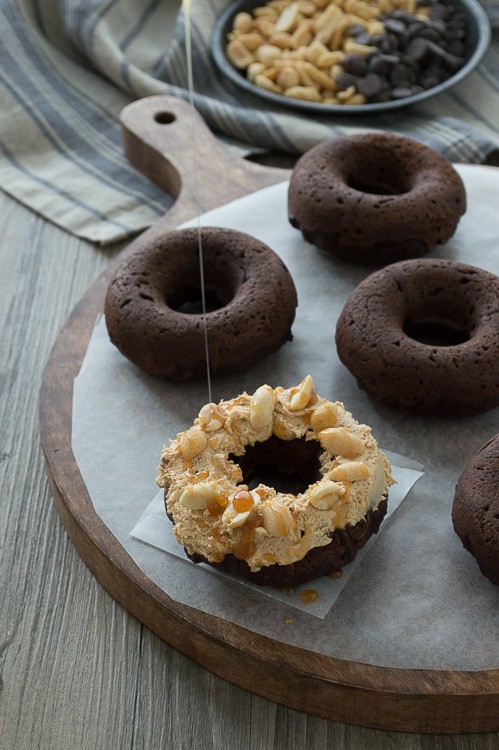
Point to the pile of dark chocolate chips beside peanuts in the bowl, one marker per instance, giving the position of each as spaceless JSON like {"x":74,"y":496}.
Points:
{"x":414,"y":55}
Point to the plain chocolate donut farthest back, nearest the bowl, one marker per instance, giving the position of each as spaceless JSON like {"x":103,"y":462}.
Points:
{"x":375,"y":198}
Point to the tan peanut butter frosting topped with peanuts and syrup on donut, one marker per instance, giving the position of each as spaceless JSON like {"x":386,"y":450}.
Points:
{"x":215,"y":512}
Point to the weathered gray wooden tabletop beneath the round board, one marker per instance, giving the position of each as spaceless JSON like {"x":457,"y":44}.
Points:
{"x":77,"y":671}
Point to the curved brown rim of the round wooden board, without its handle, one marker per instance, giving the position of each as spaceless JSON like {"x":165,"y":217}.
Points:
{"x":350,"y":692}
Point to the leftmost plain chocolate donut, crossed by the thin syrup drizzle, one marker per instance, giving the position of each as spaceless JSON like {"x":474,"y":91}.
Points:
{"x":153,"y":311}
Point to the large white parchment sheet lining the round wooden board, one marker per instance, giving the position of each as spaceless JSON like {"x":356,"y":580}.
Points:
{"x":416,"y":598}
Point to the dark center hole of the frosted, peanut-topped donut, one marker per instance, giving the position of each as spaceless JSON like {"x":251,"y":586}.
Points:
{"x":288,"y":466}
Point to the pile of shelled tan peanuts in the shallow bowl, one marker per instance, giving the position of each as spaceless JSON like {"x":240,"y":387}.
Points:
{"x":295,"y":48}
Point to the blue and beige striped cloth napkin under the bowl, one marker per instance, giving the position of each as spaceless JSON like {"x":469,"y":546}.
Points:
{"x":68,"y":68}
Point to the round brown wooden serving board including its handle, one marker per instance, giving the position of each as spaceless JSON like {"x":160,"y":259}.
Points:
{"x":159,"y":134}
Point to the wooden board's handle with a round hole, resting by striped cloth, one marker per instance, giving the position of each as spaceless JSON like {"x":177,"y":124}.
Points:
{"x":168,"y":141}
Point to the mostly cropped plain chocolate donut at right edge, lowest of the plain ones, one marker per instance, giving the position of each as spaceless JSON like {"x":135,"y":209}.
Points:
{"x":475,"y":511}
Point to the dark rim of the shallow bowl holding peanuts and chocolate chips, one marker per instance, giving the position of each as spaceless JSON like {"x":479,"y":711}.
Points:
{"x":476,"y":43}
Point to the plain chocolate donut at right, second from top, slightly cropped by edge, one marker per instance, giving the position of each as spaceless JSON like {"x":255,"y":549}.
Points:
{"x":424,"y":335}
